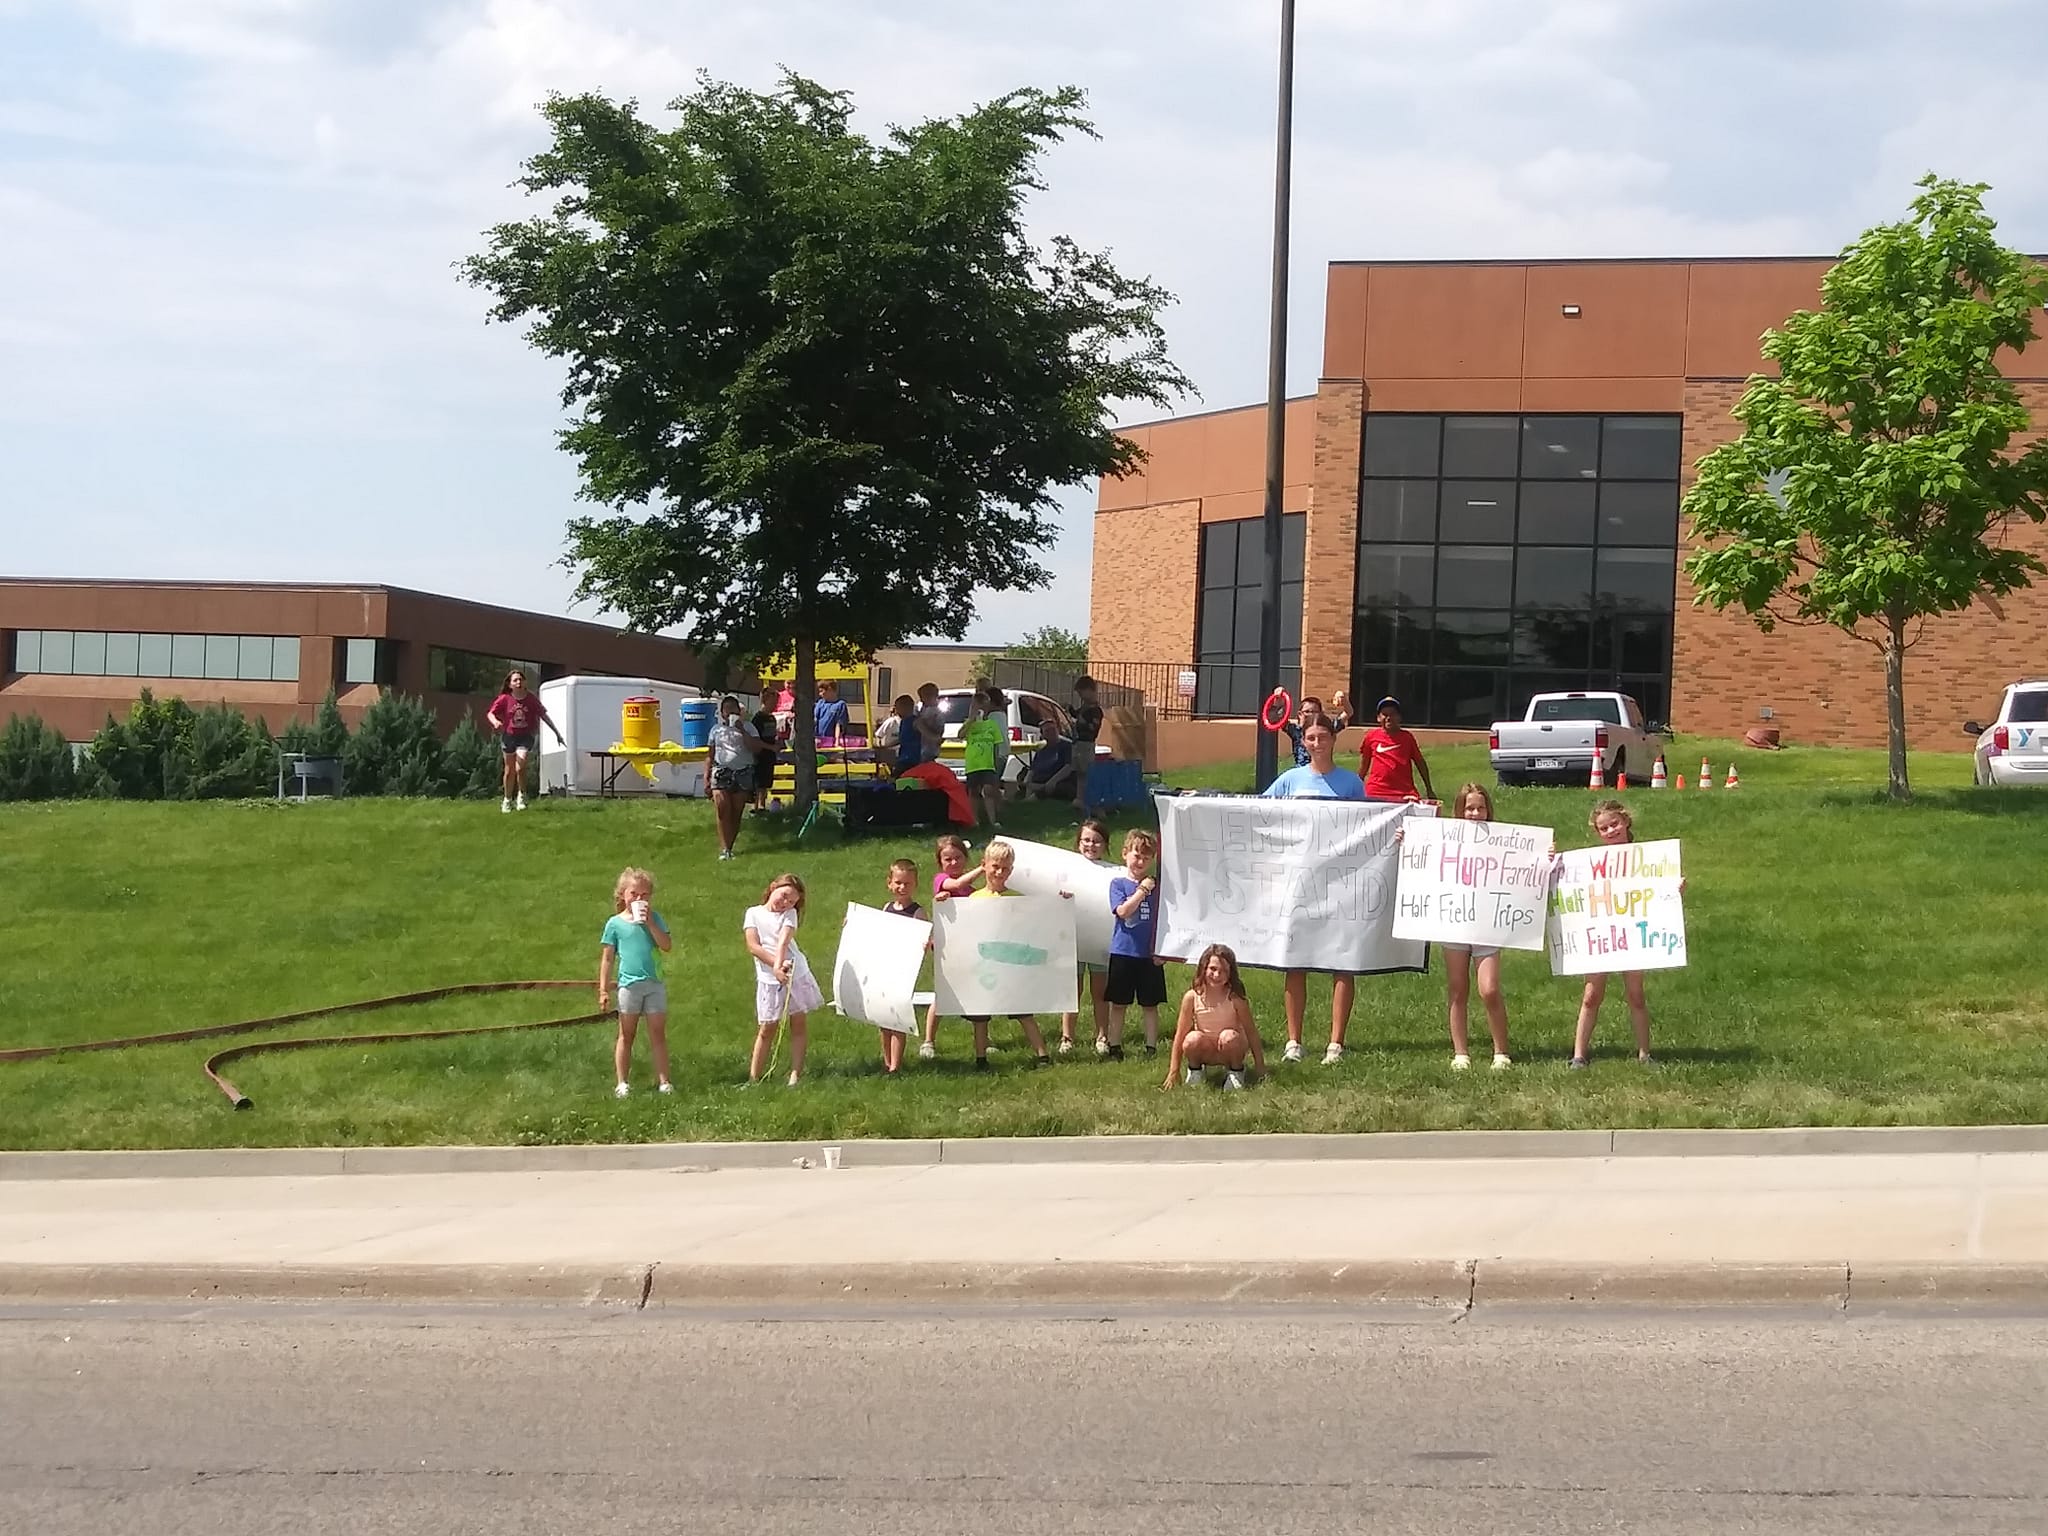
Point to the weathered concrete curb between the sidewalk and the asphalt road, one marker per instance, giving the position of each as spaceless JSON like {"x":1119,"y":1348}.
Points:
{"x":1453,"y":1287}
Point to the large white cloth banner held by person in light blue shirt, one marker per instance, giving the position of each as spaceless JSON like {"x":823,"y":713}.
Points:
{"x":1291,"y":886}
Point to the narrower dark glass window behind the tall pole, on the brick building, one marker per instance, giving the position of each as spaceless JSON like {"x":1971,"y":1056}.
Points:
{"x":1230,"y":611}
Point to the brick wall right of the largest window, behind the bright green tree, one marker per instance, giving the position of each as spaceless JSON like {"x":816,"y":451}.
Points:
{"x":1822,"y":685}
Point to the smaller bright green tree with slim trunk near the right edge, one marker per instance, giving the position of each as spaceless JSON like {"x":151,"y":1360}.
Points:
{"x":1877,"y":484}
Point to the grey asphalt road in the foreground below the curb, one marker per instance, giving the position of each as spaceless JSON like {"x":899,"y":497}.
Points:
{"x":1289,"y":1422}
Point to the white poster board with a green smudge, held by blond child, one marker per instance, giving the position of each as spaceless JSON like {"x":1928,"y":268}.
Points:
{"x":1005,"y":955}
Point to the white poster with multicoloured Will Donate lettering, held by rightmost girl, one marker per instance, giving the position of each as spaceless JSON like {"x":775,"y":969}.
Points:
{"x":1617,"y":908}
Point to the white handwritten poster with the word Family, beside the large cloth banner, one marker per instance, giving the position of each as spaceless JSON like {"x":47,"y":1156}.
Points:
{"x":1474,"y":884}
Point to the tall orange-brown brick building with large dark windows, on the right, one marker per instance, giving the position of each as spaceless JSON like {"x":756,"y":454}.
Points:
{"x":1482,"y":503}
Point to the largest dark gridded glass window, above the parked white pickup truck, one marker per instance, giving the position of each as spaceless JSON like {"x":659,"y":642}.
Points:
{"x":1506,"y":556}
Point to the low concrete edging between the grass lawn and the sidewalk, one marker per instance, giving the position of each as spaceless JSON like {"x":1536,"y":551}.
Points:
{"x":716,"y":1156}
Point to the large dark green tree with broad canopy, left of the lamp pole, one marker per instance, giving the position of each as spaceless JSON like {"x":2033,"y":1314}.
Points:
{"x":824,"y":384}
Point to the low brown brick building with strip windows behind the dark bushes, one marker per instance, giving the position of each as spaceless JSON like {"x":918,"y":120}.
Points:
{"x":75,"y":652}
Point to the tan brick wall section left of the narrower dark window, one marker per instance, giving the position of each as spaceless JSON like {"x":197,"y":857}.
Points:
{"x":1144,"y":585}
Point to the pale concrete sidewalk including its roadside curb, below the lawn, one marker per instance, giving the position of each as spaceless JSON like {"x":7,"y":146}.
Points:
{"x":1451,"y":1232}
